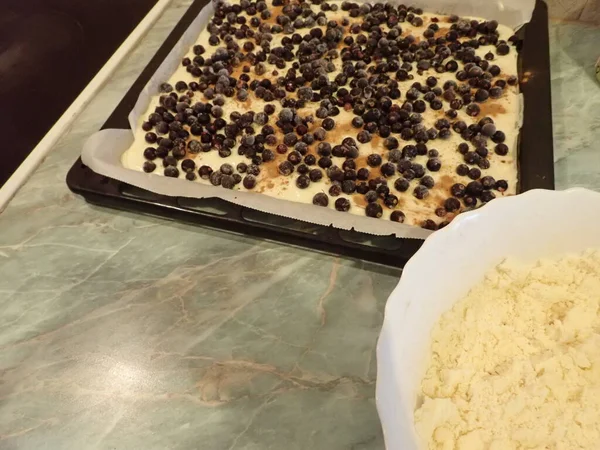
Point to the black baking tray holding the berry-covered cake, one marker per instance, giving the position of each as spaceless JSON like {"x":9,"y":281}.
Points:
{"x":536,"y":166}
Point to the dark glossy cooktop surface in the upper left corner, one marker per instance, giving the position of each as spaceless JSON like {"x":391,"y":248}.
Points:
{"x":49,"y":51}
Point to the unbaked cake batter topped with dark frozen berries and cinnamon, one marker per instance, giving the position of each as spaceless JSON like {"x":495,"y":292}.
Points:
{"x":373,"y":109}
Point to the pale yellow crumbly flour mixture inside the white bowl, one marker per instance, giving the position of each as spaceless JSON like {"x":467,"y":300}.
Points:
{"x":516,"y":364}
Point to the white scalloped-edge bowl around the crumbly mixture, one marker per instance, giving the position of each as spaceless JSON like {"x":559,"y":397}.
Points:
{"x":529,"y":226}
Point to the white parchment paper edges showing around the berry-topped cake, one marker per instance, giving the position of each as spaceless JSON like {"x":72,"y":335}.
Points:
{"x":102,"y":151}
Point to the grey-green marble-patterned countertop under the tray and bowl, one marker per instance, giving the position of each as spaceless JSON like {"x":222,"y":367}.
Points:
{"x":121,"y":331}
